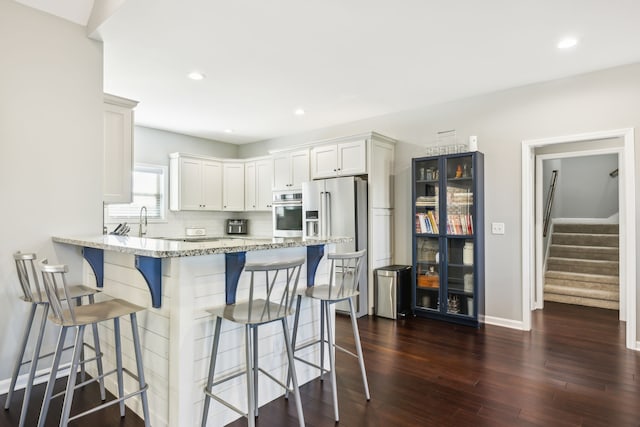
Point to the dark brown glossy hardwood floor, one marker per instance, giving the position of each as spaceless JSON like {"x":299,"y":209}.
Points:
{"x":572,"y":369}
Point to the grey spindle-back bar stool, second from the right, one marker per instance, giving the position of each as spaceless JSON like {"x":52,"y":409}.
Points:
{"x":274,"y":304}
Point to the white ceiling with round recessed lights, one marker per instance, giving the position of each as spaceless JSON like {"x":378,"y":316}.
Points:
{"x":341,"y":60}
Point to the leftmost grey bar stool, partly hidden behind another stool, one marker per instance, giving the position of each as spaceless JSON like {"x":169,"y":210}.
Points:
{"x":32,"y":293}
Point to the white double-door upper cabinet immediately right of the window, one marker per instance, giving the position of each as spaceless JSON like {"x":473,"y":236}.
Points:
{"x":195,"y":184}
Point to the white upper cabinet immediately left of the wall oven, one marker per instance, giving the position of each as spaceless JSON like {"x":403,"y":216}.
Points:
{"x":258,"y":183}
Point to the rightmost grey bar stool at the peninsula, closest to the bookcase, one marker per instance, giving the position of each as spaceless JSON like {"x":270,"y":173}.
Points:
{"x":346,"y":267}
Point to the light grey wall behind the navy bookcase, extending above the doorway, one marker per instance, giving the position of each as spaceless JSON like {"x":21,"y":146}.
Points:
{"x":602,"y":100}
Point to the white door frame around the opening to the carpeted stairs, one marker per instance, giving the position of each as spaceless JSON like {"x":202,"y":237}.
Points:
{"x":626,"y":164}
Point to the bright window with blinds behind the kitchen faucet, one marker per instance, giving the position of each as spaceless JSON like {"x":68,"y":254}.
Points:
{"x":148,"y":190}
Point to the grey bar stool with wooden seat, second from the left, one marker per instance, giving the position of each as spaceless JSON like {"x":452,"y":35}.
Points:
{"x":67,"y":316}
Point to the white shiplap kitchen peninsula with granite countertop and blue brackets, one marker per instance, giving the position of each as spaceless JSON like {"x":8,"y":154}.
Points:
{"x":177,"y":280}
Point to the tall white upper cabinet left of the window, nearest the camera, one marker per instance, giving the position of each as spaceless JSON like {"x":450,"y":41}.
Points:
{"x":118,"y":149}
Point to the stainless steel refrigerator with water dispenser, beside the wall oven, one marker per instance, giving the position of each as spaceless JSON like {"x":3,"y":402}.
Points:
{"x":338,"y":207}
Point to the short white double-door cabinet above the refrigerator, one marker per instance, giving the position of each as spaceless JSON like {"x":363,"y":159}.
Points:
{"x":341,"y":159}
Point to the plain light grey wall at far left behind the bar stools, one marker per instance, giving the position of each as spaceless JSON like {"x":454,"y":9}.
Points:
{"x":50,"y":151}
